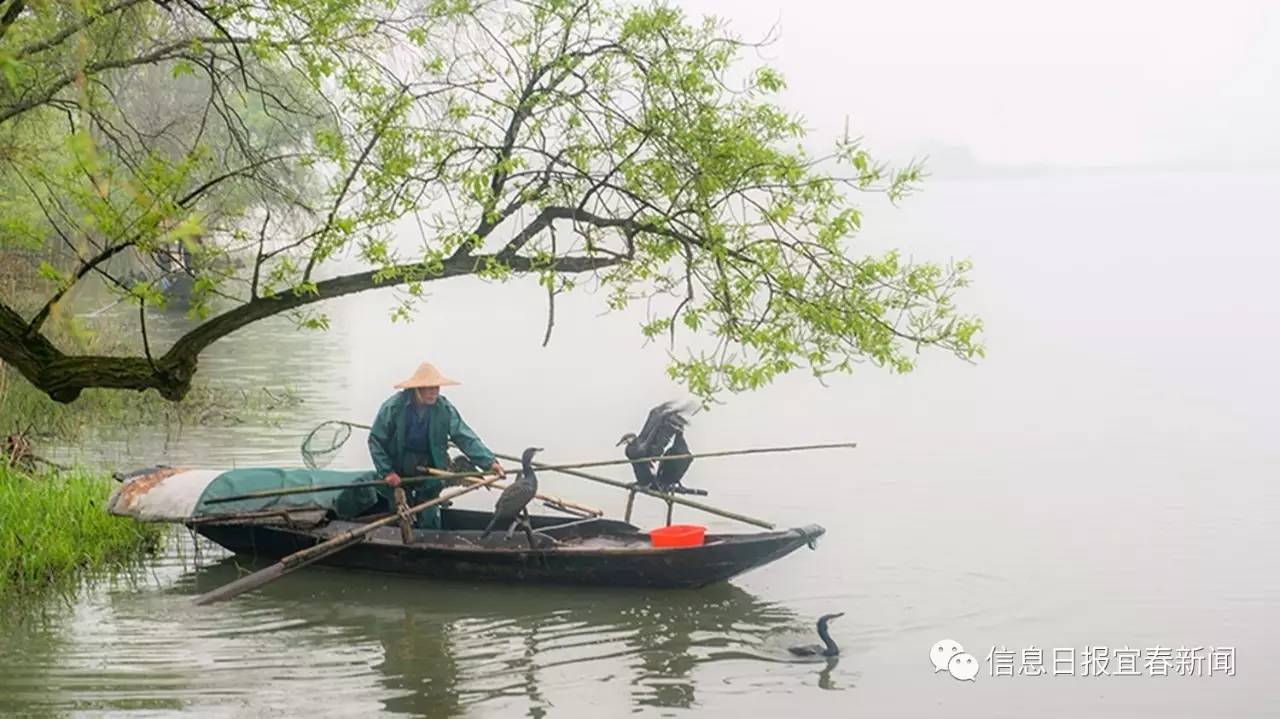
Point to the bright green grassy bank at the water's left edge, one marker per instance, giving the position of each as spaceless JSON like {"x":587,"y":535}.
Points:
{"x":54,"y":526}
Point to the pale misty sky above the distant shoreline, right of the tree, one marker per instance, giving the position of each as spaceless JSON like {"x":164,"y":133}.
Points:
{"x":1023,"y":83}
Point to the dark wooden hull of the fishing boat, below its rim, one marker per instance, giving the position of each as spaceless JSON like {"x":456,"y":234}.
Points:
{"x":602,"y":553}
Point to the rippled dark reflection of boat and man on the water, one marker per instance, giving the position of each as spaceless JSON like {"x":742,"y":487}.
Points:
{"x":451,"y":647}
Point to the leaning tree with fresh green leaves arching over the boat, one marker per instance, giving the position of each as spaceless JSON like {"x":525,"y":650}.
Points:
{"x":577,"y":141}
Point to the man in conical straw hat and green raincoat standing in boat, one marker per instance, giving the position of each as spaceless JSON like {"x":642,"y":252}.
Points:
{"x":413,"y":432}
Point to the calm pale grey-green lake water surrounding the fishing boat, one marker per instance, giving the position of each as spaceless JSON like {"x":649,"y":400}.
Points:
{"x":1105,"y":479}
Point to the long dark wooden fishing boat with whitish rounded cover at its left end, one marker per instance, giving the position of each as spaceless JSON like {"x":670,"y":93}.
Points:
{"x":568,"y":551}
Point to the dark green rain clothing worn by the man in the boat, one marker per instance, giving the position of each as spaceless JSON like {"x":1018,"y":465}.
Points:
{"x":395,"y":451}
